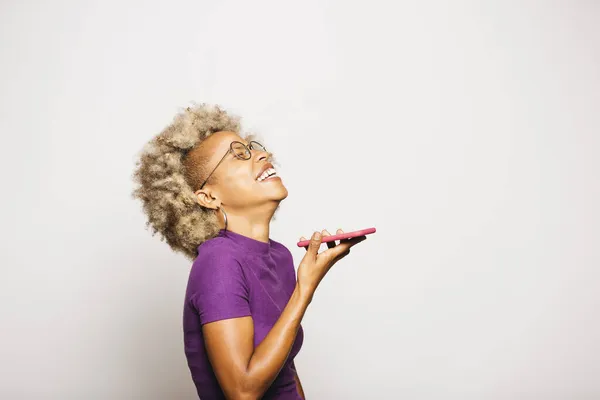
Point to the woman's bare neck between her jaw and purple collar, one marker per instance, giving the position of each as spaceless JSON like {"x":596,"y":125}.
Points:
{"x":254,"y":224}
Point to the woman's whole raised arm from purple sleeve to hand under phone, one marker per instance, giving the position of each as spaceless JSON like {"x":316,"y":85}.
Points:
{"x":245,"y":372}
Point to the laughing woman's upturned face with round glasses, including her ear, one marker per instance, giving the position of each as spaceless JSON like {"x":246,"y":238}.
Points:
{"x":238,"y":183}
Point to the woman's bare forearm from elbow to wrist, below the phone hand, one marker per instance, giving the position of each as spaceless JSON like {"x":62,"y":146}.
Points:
{"x":269,"y":356}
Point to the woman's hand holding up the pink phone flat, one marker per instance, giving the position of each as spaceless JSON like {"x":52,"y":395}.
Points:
{"x":315,"y":265}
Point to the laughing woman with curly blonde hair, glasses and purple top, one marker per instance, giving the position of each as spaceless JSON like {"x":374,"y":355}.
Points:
{"x":211,"y":195}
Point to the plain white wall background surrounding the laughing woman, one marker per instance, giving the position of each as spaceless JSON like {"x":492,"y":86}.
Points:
{"x":466,"y":132}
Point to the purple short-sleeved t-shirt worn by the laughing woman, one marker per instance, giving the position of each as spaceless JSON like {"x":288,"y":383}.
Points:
{"x":237,"y":276}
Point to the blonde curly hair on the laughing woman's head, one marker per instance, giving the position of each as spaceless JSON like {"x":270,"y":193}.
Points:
{"x":165,"y":178}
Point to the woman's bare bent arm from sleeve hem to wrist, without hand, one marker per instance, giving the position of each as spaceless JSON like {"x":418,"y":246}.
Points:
{"x":245,"y":372}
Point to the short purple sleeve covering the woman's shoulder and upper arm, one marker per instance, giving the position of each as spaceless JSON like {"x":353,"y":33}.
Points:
{"x":217,"y":287}
